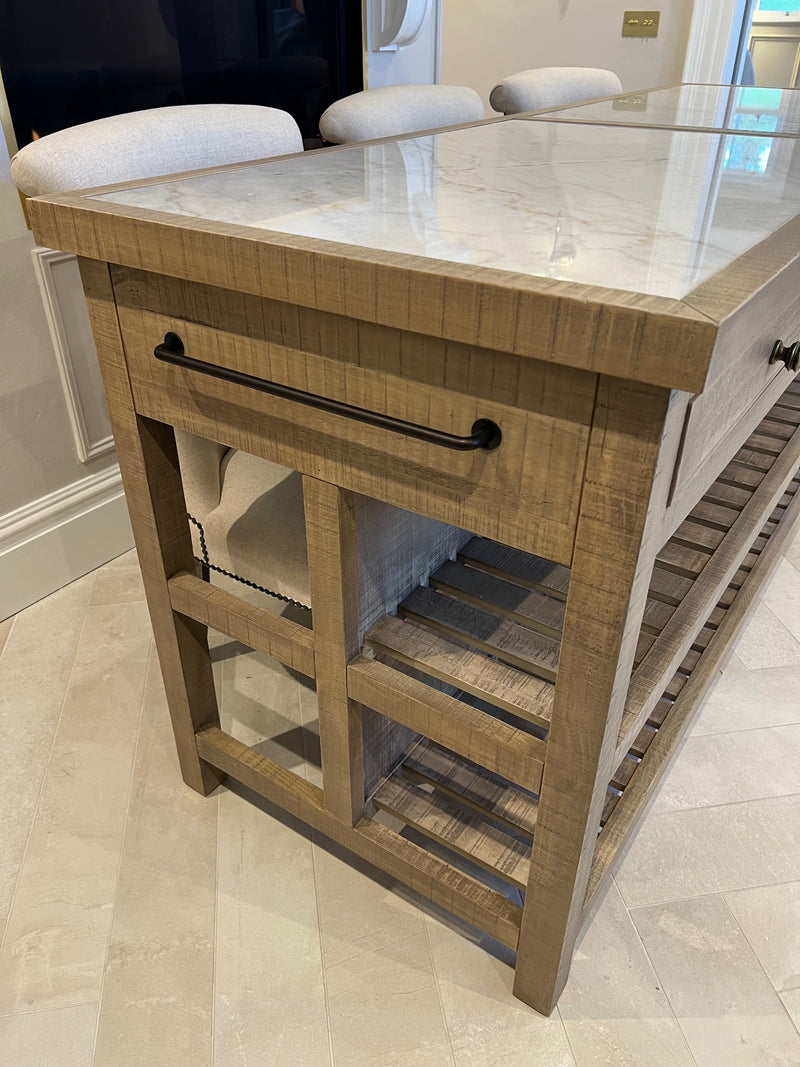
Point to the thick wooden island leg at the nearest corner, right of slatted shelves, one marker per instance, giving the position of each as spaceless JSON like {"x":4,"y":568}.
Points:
{"x":609,"y":585}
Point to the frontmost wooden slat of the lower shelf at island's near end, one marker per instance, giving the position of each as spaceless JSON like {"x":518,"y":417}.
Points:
{"x":449,"y":824}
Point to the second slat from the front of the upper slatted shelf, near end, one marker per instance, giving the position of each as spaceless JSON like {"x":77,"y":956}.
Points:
{"x":514,"y":645}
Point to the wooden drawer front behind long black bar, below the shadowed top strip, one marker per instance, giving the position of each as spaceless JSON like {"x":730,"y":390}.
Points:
{"x":524,"y":493}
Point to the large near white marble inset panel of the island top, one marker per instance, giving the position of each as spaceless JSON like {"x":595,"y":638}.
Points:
{"x":649,"y":211}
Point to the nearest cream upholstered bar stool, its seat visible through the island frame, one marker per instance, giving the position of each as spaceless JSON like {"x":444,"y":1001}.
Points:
{"x":228,"y":493}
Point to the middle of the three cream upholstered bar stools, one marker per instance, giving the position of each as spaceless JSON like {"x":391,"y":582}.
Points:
{"x":394,"y":110}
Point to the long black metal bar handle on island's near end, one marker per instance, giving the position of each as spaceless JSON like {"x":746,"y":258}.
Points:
{"x":484,"y":435}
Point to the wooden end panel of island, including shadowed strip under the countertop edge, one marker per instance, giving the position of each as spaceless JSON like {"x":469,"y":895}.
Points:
{"x":525,"y":492}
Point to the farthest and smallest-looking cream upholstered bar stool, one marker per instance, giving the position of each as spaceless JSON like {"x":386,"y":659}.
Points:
{"x":552,"y":88}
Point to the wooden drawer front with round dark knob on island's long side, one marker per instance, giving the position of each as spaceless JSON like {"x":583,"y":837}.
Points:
{"x":743,"y":386}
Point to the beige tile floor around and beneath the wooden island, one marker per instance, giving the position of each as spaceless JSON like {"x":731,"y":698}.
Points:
{"x":147,"y":926}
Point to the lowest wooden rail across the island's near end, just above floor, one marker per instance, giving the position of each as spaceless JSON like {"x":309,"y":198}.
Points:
{"x":435,"y":879}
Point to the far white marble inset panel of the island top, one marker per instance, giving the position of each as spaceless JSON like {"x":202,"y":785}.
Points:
{"x":737,"y":108}
